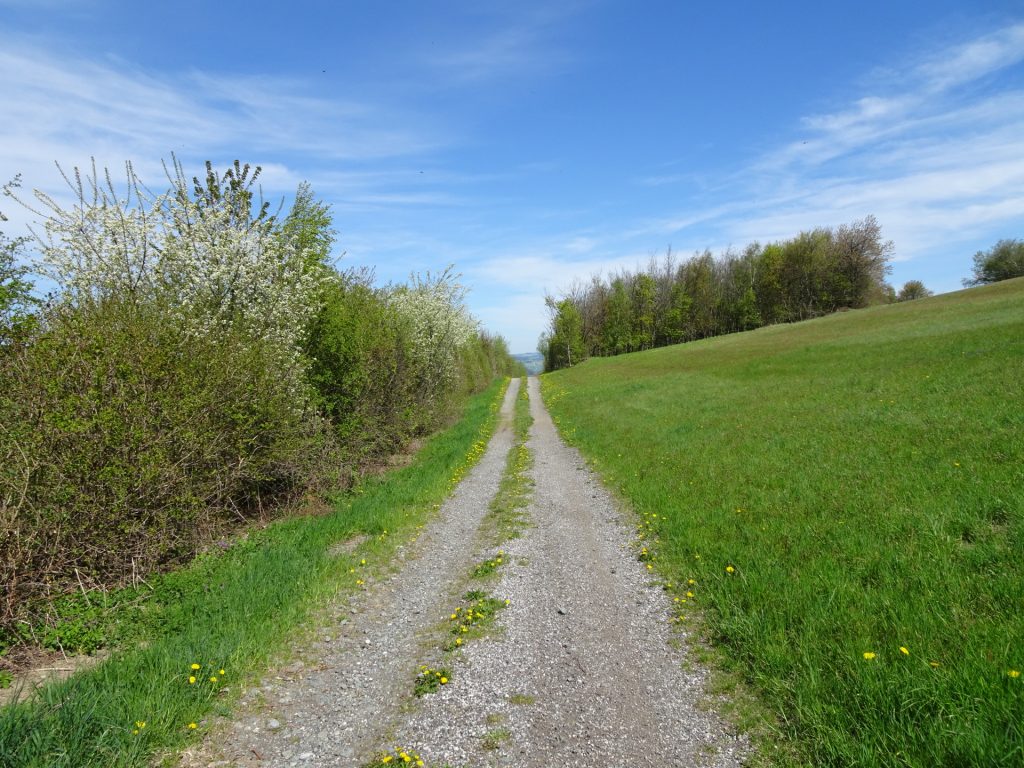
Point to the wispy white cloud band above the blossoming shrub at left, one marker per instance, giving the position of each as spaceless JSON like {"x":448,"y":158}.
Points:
{"x":56,"y":108}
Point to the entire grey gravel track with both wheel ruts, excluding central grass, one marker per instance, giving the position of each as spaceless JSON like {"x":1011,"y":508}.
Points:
{"x":584,"y":669}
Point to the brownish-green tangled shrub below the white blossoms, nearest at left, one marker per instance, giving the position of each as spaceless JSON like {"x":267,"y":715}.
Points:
{"x":131,"y":444}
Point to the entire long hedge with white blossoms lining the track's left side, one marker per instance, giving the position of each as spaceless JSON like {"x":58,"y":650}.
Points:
{"x":201,"y":363}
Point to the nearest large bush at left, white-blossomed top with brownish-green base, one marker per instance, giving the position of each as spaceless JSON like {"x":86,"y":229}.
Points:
{"x":164,"y":395}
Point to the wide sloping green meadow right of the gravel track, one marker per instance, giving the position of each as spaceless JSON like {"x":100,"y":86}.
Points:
{"x":864,"y":476}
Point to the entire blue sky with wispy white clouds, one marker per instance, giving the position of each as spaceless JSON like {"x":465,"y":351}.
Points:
{"x":532,"y":144}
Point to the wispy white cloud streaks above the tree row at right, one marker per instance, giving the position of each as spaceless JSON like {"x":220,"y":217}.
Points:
{"x":935,"y":156}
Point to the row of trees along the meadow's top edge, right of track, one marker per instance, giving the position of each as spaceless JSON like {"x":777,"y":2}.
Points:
{"x":673,"y":302}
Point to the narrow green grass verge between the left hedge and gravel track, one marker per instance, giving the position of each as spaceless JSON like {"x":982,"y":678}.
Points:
{"x":233,"y":611}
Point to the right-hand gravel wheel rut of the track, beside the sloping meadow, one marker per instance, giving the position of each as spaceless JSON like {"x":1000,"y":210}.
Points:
{"x":584,"y":673}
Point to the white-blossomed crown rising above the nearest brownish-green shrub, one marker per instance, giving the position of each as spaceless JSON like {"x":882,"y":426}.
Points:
{"x":209,"y":262}
